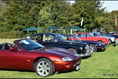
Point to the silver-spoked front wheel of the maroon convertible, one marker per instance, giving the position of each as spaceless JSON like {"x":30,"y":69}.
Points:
{"x":44,"y":67}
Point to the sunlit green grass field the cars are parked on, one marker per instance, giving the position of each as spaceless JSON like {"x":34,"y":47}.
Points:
{"x":99,"y":65}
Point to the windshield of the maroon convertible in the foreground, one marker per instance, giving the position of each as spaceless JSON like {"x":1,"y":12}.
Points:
{"x":28,"y":44}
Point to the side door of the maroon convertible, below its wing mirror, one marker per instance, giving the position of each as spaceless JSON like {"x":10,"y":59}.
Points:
{"x":11,"y":59}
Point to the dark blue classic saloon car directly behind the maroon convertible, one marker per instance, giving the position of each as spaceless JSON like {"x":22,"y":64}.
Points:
{"x":58,"y":40}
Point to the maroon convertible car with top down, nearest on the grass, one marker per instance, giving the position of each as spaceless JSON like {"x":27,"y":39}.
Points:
{"x":25,"y":54}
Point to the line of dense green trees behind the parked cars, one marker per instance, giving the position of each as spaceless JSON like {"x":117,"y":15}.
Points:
{"x":16,"y":15}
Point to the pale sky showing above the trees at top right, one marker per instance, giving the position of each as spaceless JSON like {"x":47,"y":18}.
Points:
{"x":110,"y":5}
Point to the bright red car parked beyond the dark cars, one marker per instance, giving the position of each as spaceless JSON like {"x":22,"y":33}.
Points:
{"x":87,"y":36}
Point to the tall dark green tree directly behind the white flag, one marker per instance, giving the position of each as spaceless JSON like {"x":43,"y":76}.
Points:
{"x":89,"y":11}
